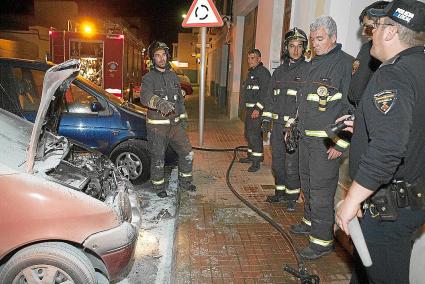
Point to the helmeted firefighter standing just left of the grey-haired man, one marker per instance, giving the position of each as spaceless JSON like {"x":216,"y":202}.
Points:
{"x":281,"y":109}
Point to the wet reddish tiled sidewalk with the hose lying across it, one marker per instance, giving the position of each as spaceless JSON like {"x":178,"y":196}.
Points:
{"x":218,"y":238}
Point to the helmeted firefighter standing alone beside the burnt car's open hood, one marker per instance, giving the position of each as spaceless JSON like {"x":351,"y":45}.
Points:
{"x":166,"y":119}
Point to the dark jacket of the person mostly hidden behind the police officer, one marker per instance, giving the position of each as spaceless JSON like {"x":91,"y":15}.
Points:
{"x":363,"y":68}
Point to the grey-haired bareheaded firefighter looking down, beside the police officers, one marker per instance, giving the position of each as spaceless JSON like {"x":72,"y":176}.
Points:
{"x":324,"y":99}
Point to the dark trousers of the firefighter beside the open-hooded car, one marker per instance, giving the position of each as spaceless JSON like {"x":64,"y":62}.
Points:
{"x":159,"y":137}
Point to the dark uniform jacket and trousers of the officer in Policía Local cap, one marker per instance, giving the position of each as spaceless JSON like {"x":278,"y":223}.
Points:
{"x":388,"y":147}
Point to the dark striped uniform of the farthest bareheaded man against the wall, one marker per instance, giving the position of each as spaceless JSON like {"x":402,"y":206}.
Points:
{"x":254,"y":93}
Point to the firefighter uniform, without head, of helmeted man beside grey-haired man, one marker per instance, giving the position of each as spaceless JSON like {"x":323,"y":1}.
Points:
{"x":281,"y":108}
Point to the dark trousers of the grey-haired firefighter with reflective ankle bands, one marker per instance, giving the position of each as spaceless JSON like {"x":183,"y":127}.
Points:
{"x":319,"y":180}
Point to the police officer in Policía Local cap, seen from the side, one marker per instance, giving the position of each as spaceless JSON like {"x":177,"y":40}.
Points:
{"x":387,"y":153}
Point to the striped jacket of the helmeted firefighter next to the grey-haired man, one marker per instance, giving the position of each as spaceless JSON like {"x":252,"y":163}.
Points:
{"x":281,"y":101}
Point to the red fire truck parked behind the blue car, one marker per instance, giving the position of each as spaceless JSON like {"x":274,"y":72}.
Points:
{"x":113,"y":60}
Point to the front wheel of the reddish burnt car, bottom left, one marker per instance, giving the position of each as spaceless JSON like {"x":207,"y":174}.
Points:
{"x":50,"y":263}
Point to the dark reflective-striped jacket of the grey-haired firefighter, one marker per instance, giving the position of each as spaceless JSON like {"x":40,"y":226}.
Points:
{"x":324,"y":96}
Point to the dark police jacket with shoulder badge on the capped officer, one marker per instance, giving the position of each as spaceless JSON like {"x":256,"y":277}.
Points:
{"x":389,"y":137}
